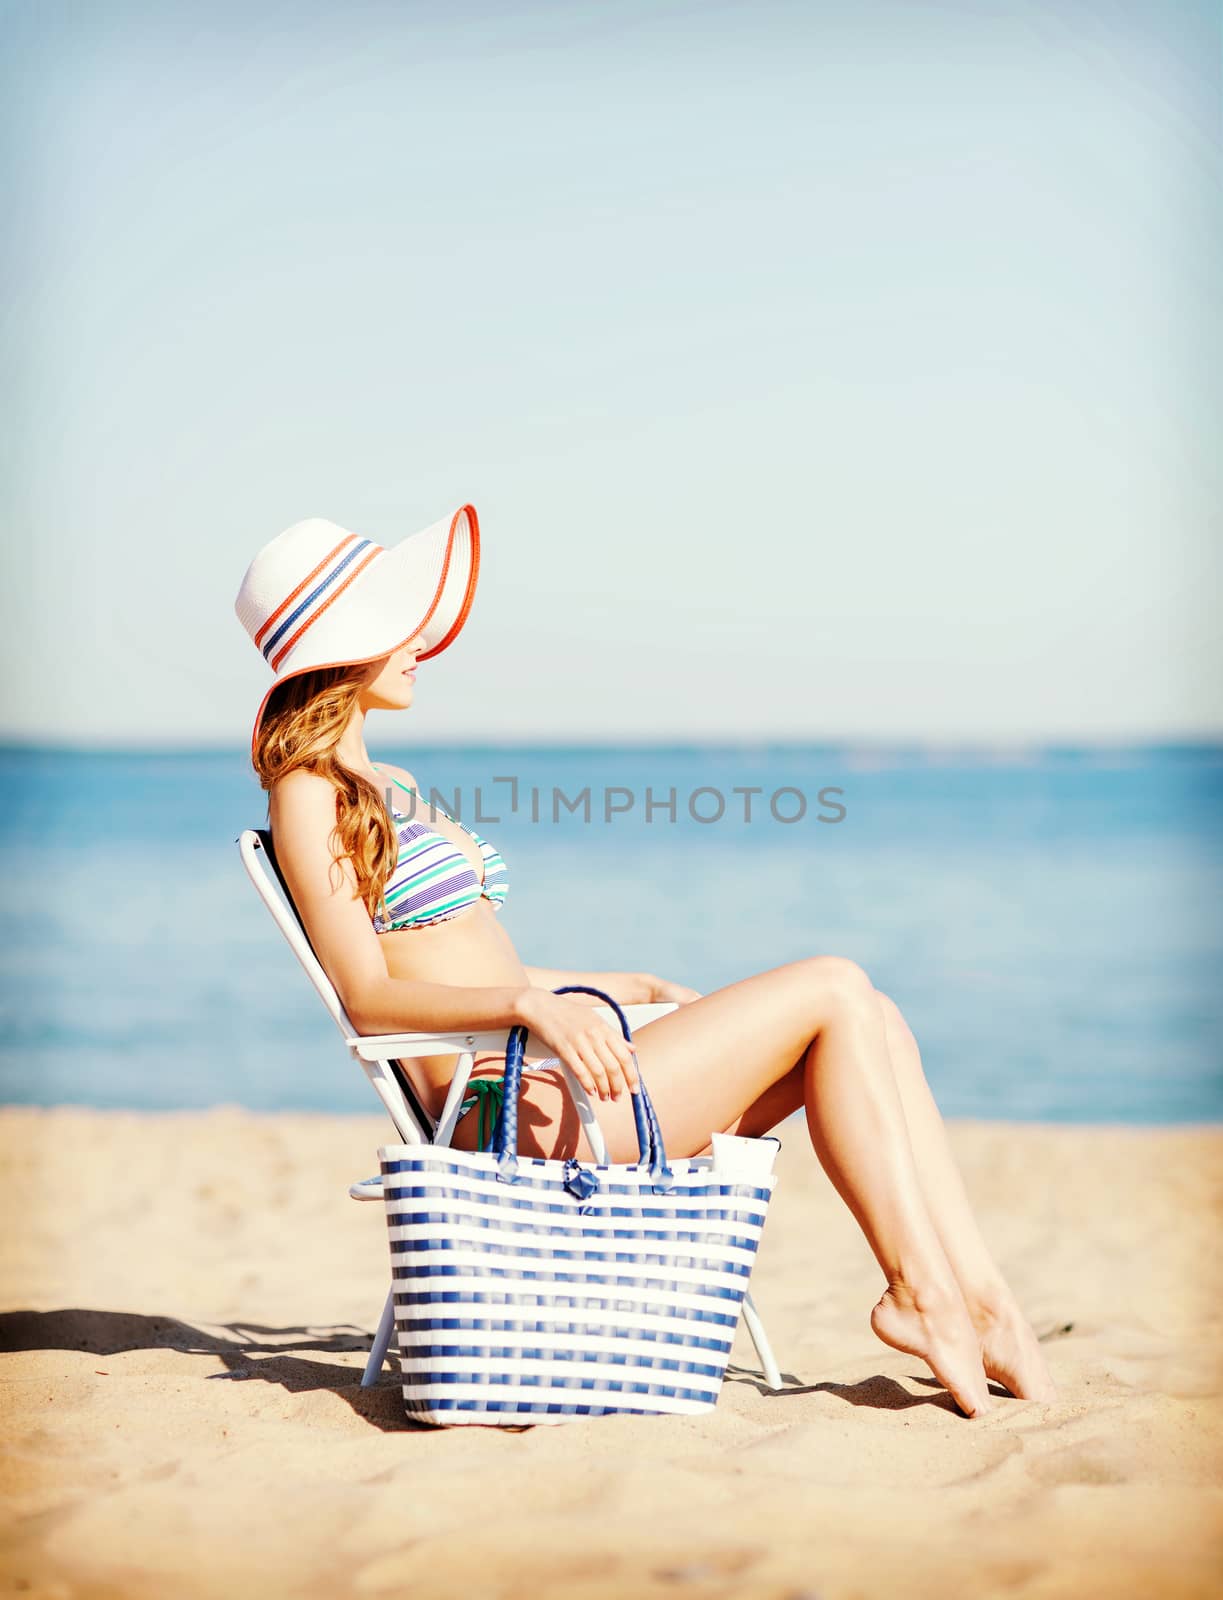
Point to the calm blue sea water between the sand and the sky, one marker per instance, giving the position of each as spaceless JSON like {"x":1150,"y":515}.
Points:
{"x":1051,"y":922}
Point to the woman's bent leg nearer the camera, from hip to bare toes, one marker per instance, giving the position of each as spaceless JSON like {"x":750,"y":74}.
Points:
{"x":728,"y":1050}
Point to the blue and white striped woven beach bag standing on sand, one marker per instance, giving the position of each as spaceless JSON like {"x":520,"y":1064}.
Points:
{"x":547,"y":1290}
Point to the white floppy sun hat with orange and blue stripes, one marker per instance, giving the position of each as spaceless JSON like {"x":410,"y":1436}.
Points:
{"x":319,"y":596}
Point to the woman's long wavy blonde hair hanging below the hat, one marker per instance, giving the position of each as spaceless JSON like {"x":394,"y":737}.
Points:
{"x":302,"y":727}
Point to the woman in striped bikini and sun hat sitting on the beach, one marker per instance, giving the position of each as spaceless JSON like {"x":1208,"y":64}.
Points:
{"x":401,"y":906}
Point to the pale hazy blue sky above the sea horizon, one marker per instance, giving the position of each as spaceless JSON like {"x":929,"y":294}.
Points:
{"x":819,"y":372}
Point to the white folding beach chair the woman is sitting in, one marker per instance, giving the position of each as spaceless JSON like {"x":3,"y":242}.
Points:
{"x":380,"y":1057}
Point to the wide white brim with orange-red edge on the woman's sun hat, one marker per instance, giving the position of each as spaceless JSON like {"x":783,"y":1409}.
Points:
{"x":422,"y":586}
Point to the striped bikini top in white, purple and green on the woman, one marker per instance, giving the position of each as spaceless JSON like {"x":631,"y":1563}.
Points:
{"x":435,"y":881}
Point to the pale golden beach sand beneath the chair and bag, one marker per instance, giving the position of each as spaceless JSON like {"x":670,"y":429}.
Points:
{"x":188,"y":1303}
